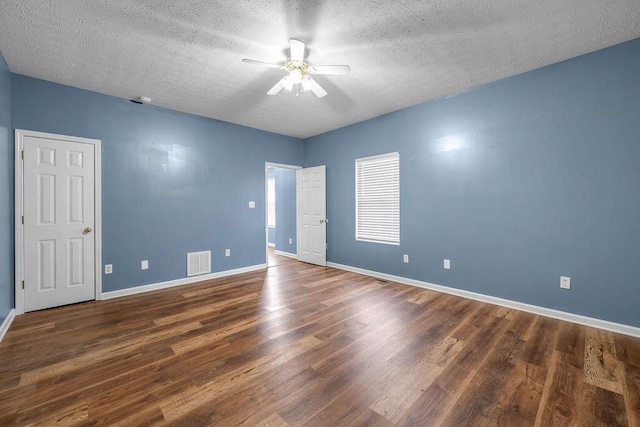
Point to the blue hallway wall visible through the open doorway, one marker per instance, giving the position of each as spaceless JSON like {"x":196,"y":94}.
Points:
{"x":285,"y":210}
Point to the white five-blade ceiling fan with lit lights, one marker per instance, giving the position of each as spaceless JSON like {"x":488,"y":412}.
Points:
{"x":299,"y":72}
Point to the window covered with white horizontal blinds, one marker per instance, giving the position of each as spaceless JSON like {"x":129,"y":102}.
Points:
{"x":378,"y":199}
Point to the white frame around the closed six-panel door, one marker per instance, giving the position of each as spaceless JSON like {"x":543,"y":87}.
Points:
{"x":20,"y":134}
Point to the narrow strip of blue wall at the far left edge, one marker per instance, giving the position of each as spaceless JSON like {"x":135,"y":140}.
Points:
{"x":6,"y":194}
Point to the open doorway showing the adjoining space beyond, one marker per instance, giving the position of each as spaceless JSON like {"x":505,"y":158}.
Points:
{"x":280,"y":213}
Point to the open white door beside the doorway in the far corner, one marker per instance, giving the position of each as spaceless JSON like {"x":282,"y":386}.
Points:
{"x":312,"y":212}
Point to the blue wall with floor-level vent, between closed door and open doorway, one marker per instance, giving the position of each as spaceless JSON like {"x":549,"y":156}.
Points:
{"x":172,"y":183}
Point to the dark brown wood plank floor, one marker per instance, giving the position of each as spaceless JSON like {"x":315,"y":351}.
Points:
{"x":303,"y":345}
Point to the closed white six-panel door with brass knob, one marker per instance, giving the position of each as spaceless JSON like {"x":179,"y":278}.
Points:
{"x":59,"y":214}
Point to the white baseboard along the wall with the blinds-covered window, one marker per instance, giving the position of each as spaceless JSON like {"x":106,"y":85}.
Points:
{"x":542,"y":311}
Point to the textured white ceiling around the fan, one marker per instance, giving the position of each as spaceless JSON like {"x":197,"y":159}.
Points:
{"x":186,"y":55}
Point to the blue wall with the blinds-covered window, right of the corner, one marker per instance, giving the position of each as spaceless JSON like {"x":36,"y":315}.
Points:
{"x":518,"y":183}
